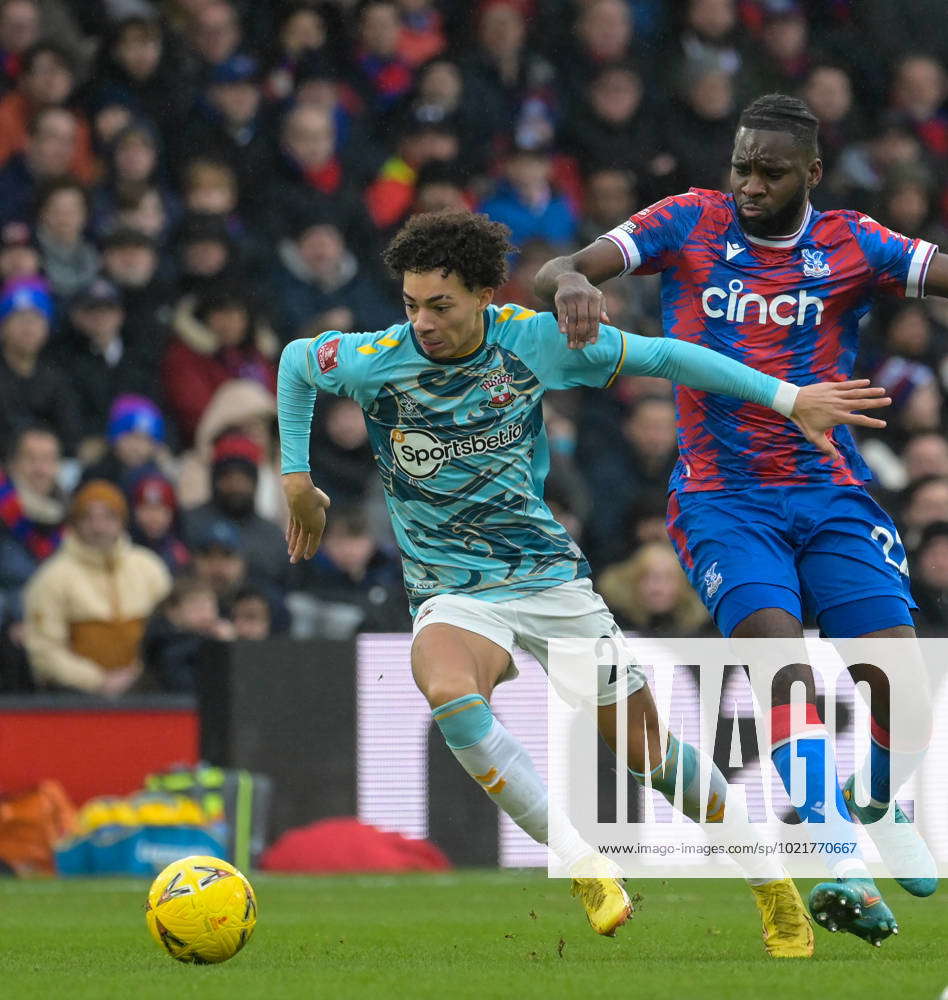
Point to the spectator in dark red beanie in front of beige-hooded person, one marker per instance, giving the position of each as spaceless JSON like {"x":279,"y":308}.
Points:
{"x":234,"y":473}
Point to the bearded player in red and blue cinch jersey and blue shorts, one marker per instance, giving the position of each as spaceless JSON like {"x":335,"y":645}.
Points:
{"x":765,"y":525}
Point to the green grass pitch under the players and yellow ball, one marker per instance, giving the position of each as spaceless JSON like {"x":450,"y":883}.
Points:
{"x":478,"y":935}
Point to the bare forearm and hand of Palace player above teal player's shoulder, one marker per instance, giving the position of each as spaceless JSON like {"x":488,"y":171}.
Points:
{"x":568,"y":284}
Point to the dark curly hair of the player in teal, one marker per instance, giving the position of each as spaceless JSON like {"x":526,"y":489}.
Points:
{"x":471,"y":245}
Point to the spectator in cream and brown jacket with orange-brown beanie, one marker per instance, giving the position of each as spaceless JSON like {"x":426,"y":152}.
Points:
{"x":87,"y":606}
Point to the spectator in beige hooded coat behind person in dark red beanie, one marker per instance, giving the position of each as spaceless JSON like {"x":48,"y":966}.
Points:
{"x":244,"y":407}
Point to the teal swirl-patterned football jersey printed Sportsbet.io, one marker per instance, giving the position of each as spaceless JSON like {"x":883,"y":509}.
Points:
{"x":461,"y":446}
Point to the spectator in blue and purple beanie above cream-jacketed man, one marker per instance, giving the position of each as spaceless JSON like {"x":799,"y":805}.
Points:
{"x":136,"y":444}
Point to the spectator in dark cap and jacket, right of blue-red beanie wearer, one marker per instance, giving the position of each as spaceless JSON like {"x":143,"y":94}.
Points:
{"x":102,"y":361}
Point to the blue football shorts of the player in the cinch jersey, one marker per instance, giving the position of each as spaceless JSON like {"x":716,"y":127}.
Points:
{"x":827,"y":551}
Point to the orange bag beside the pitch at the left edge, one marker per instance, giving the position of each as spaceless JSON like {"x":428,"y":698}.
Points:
{"x":31,"y":823}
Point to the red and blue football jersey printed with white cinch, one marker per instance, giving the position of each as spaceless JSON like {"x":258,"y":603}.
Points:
{"x":789,"y":307}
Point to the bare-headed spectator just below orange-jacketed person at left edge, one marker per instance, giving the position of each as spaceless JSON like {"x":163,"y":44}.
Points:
{"x":48,"y":155}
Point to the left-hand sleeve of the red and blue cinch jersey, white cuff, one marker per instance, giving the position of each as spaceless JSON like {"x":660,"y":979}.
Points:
{"x":652,"y":238}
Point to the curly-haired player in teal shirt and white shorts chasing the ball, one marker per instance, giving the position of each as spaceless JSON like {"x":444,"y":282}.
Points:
{"x":452,"y":405}
